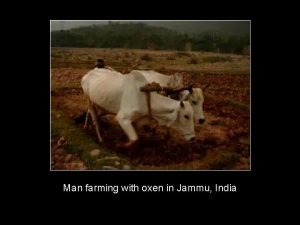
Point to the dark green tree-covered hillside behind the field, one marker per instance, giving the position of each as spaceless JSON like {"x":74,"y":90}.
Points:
{"x":142,"y":36}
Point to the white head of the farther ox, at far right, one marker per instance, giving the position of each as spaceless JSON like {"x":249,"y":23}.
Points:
{"x":196,"y":98}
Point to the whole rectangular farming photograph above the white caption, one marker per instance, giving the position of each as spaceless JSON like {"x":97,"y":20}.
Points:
{"x":150,"y":95}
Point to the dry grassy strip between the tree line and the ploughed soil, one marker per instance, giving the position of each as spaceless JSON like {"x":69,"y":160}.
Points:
{"x":125,"y":60}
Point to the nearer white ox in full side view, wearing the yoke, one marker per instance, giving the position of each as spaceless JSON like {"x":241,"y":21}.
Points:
{"x":119,"y":94}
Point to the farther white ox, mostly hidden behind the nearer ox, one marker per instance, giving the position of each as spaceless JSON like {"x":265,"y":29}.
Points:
{"x":194,"y":96}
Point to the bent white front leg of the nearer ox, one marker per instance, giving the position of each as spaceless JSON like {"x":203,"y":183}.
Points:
{"x":127,"y":127}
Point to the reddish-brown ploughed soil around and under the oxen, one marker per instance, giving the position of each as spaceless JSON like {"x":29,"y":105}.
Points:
{"x":224,"y":136}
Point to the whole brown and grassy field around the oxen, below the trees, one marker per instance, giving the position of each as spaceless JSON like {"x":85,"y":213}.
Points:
{"x":223,"y":141}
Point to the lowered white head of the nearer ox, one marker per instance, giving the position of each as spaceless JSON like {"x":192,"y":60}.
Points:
{"x":184,"y":121}
